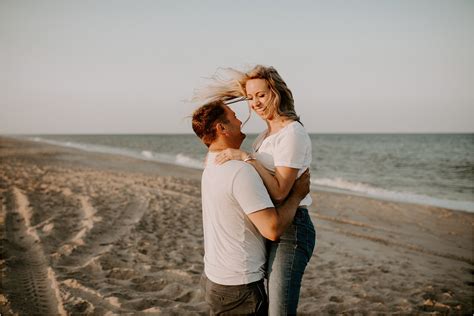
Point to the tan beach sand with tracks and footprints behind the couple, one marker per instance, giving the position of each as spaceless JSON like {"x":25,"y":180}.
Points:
{"x":90,"y":233}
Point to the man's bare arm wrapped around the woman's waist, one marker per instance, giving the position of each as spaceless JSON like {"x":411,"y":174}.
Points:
{"x":272,"y":222}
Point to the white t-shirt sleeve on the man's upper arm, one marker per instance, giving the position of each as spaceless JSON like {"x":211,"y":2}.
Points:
{"x":249,"y":191}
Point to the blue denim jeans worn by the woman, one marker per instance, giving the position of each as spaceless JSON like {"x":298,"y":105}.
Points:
{"x":287,"y":260}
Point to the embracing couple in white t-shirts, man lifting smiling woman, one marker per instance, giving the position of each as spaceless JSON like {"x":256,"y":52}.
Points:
{"x":255,"y":217}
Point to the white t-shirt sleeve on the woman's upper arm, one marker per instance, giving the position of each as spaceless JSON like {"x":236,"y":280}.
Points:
{"x":291,"y":150}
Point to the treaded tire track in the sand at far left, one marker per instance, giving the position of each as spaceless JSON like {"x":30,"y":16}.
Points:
{"x":29,"y":279}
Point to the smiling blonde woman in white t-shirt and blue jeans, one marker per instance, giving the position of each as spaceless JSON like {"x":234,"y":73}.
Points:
{"x":281,"y":154}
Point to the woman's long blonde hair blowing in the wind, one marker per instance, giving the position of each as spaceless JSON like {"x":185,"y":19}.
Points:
{"x":229,"y":83}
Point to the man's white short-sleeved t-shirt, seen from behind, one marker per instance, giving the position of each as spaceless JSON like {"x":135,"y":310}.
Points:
{"x":234,"y":250}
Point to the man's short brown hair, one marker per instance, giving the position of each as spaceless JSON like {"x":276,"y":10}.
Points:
{"x":205,"y":119}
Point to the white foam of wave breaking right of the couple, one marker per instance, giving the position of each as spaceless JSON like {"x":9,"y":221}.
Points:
{"x":344,"y":186}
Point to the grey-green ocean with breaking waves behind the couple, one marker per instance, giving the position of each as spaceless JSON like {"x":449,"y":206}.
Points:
{"x":432,"y":169}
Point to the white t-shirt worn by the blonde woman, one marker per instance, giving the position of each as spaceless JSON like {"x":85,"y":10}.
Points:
{"x":289,"y":147}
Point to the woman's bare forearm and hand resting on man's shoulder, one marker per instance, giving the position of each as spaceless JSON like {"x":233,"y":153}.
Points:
{"x":278,"y":185}
